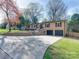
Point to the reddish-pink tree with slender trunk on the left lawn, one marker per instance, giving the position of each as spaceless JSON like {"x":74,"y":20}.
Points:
{"x":10,"y":9}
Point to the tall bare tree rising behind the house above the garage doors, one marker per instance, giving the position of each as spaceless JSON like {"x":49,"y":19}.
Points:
{"x":56,"y":9}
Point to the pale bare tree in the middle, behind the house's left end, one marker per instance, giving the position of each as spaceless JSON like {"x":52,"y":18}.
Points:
{"x":33,"y":12}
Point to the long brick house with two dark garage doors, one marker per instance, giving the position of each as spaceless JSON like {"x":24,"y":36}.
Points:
{"x":55,"y":28}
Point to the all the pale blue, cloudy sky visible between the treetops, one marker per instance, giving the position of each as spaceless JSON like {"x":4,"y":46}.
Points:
{"x":72,"y":5}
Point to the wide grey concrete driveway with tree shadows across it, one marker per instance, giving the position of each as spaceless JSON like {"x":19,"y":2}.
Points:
{"x":25,"y":47}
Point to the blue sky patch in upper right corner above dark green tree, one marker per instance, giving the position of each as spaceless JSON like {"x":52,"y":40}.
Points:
{"x":73,"y":6}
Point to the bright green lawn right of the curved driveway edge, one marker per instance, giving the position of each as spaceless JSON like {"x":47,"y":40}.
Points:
{"x":66,"y":48}
